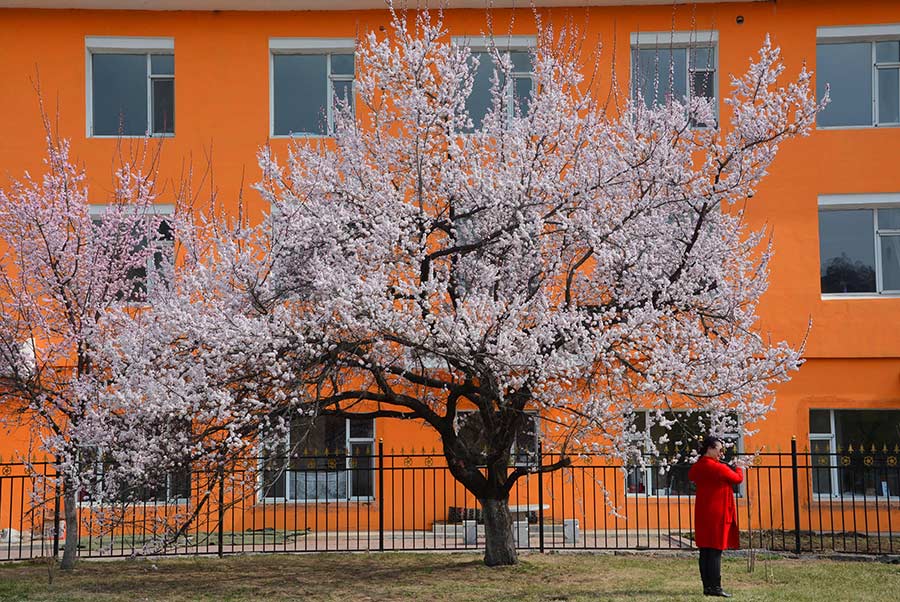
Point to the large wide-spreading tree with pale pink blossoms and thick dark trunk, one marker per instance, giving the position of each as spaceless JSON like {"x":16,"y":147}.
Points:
{"x":566,"y":256}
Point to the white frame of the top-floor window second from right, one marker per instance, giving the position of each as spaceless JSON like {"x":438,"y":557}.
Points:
{"x":681,"y":39}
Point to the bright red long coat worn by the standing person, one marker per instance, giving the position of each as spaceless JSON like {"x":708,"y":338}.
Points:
{"x":715,"y":516}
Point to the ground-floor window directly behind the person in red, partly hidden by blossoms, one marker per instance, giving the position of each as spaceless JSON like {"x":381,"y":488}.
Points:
{"x":681,"y":439}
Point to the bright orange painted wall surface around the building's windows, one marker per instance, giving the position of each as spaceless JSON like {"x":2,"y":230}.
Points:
{"x":222,"y":104}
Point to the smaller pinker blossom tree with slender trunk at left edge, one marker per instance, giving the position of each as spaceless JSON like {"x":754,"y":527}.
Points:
{"x":62,"y":266}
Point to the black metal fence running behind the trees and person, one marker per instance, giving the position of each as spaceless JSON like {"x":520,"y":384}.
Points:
{"x":797,"y":502}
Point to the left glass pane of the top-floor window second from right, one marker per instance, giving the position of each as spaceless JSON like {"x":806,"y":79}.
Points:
{"x":669,"y":65}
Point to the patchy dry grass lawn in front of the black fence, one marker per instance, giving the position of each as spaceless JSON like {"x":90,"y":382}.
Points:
{"x":365,"y":577}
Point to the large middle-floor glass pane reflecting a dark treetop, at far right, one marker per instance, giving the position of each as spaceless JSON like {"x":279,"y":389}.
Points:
{"x":847,"y":251}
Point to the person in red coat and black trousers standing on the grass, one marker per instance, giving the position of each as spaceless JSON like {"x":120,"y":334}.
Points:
{"x":715,"y":515}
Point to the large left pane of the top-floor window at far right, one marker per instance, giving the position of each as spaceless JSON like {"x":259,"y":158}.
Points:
{"x":848,"y":69}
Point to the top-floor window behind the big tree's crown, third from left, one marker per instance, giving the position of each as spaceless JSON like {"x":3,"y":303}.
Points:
{"x":516,"y":91}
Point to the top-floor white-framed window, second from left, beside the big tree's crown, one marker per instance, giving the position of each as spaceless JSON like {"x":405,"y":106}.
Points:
{"x":310,"y":78}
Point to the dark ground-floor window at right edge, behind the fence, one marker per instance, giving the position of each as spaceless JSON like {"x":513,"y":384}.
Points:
{"x":854,"y":452}
